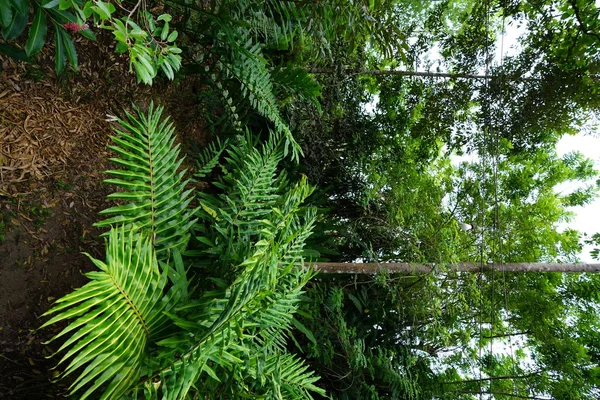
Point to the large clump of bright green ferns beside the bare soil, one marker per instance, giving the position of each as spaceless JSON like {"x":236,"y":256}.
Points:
{"x":191,"y":302}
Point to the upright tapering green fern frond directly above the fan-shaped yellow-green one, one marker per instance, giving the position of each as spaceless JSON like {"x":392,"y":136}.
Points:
{"x":154,"y":189}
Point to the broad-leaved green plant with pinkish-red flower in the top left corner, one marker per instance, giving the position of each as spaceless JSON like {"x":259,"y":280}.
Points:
{"x":148,"y":39}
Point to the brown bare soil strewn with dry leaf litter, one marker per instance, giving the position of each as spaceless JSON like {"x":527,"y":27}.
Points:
{"x":53,"y":137}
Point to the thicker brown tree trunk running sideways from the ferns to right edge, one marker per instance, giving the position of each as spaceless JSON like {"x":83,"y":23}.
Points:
{"x":424,"y":268}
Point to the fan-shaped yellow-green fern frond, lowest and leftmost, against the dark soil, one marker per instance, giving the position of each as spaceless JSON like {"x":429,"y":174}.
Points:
{"x":114,"y":317}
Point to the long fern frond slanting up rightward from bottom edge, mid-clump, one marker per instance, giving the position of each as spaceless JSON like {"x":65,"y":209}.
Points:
{"x":260,"y":302}
